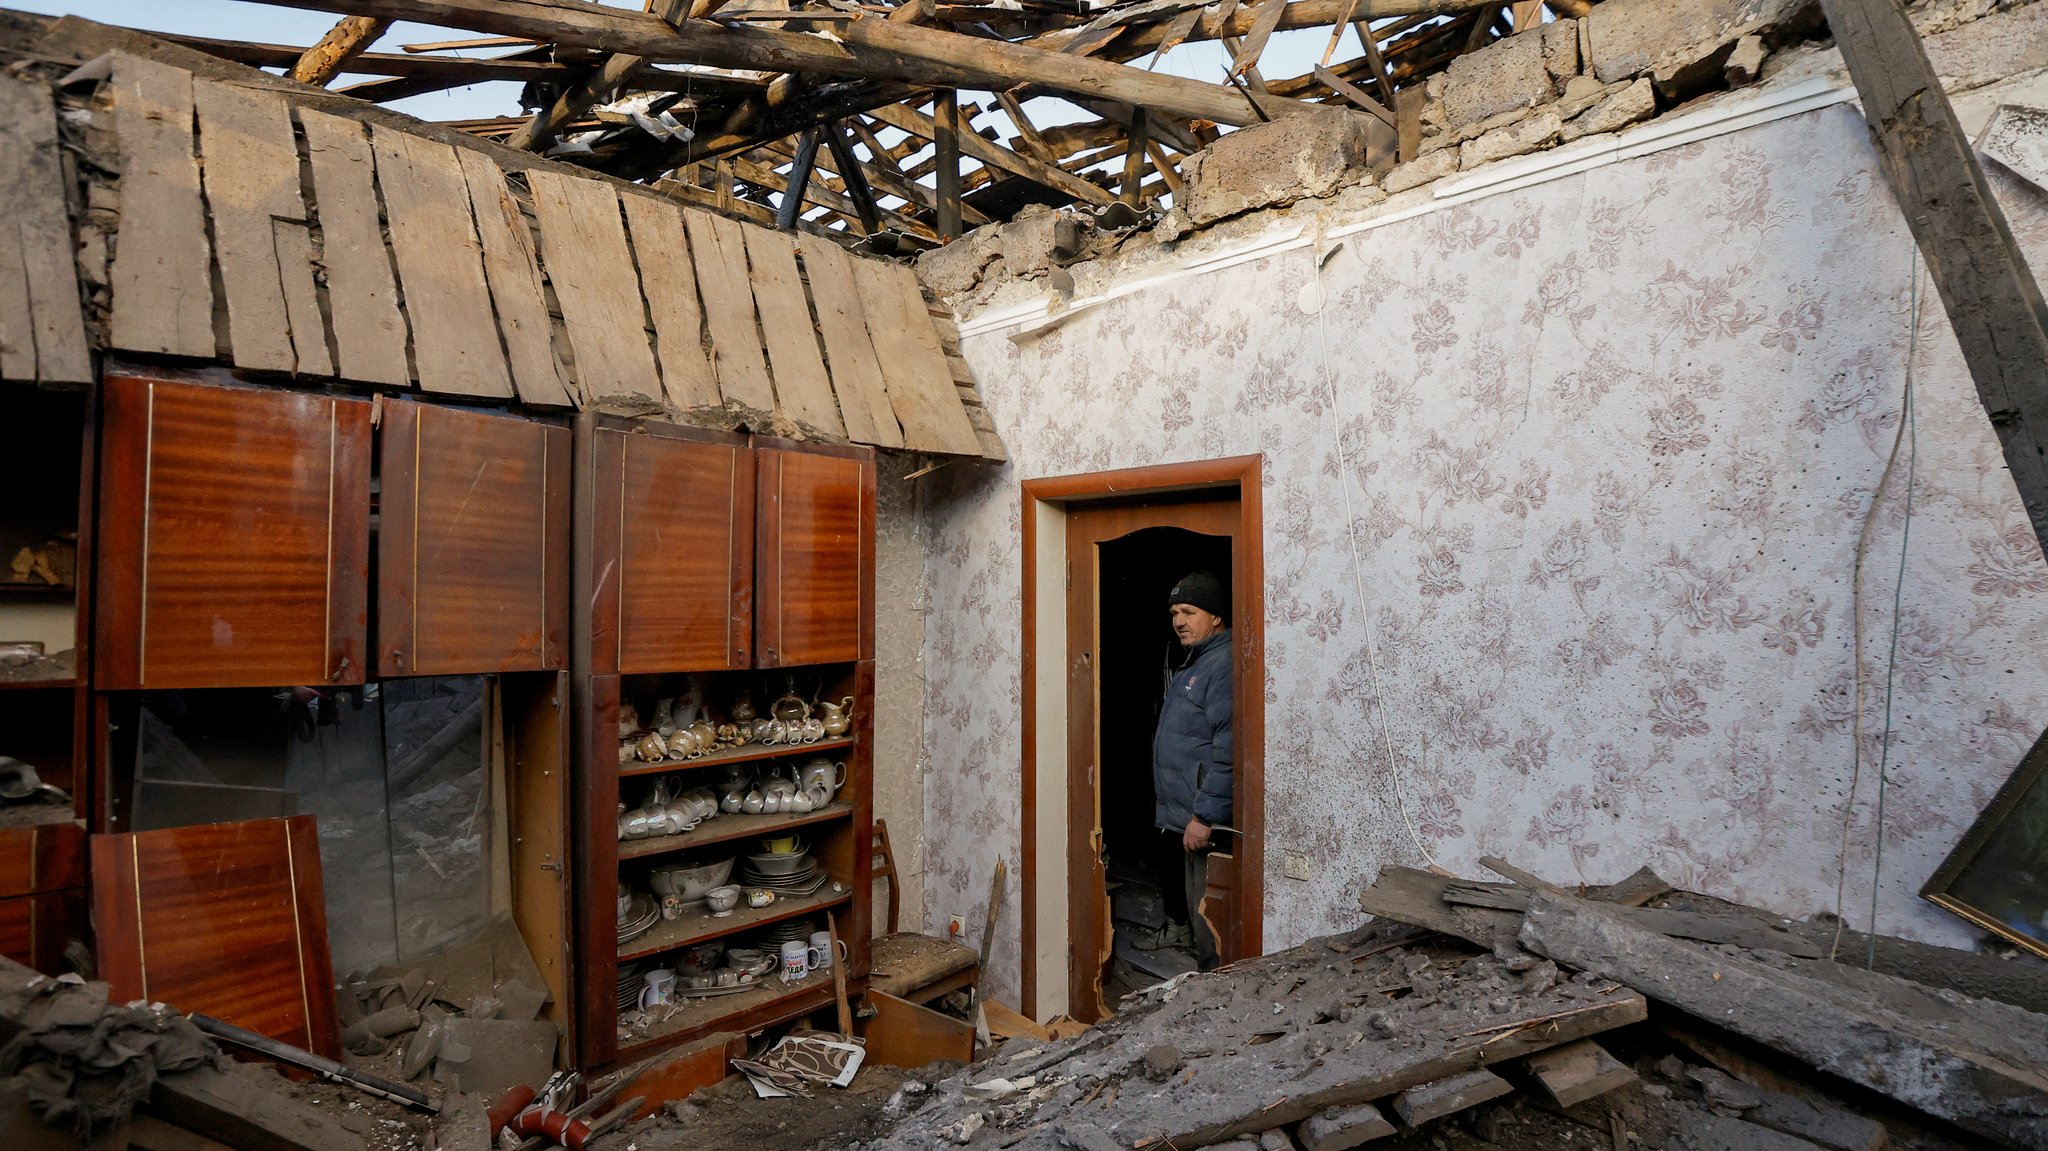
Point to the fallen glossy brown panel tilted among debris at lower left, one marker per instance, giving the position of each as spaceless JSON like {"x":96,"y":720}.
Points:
{"x":224,"y":919}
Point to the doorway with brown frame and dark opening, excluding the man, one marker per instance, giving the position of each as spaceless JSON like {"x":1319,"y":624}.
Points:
{"x":1101,"y":554}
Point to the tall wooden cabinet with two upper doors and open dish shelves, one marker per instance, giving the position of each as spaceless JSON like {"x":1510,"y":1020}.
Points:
{"x":708,"y":552}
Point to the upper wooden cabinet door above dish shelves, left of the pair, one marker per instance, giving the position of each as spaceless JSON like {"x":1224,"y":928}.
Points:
{"x":673,"y":546}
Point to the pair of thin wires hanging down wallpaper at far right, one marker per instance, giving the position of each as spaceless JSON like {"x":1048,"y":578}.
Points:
{"x":1857,"y":611}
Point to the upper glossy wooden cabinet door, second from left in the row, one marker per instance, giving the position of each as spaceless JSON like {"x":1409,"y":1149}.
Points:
{"x":472,"y":544}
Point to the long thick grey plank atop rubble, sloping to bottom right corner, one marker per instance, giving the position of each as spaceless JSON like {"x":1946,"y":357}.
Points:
{"x":1963,"y":1060}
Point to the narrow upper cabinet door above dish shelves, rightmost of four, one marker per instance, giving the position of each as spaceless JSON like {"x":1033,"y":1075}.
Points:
{"x":816,"y":556}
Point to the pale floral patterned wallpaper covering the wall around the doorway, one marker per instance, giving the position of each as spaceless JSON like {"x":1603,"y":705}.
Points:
{"x":1607,"y":447}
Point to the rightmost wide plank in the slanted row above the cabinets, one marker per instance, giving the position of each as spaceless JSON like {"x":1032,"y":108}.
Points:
{"x":914,"y":368}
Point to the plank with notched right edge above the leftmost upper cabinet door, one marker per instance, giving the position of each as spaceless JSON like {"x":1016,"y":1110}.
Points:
{"x":249,"y":167}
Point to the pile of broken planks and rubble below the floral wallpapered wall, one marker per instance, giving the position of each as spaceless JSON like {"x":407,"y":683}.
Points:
{"x":1467,"y":998}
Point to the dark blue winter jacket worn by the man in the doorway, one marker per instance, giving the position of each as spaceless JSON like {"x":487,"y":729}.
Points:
{"x":1193,"y":747}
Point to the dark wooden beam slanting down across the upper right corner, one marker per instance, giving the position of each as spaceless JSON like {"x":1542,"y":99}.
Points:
{"x":1994,"y":300}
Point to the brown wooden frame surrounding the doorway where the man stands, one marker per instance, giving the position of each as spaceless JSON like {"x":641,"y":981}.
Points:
{"x":1248,"y":593}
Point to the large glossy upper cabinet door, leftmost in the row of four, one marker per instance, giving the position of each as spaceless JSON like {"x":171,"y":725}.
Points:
{"x":234,"y":538}
